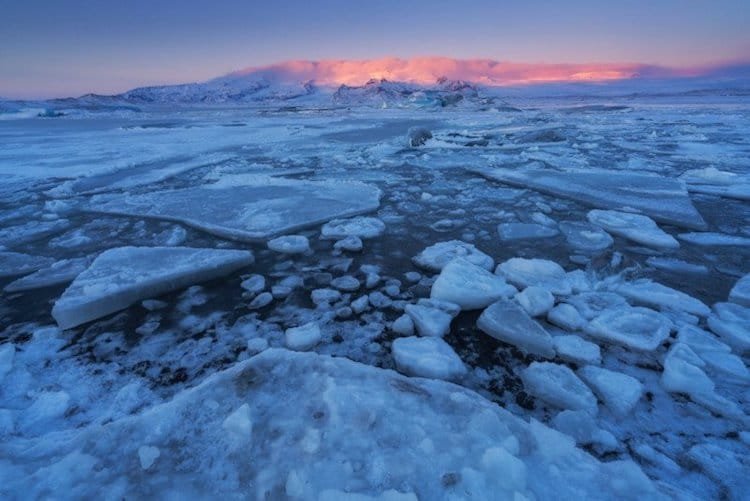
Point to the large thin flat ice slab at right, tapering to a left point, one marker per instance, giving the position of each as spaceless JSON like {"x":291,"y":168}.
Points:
{"x":663,"y":199}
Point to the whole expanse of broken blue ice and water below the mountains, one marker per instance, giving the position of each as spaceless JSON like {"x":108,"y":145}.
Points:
{"x":526,"y":298}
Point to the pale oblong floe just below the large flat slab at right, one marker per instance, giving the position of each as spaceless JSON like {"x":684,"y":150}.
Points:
{"x":635,"y":227}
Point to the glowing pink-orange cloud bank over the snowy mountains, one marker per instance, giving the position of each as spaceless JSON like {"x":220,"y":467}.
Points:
{"x":426,"y":70}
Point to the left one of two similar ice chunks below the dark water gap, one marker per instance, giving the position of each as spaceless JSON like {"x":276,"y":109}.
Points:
{"x":559,"y":386}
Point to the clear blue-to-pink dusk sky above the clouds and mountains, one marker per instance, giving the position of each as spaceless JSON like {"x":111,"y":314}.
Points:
{"x":56,"y":48}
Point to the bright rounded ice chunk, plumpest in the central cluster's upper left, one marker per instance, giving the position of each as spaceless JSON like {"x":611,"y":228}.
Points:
{"x":469,"y":286}
